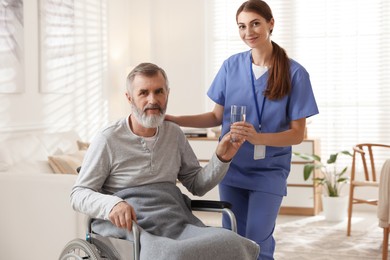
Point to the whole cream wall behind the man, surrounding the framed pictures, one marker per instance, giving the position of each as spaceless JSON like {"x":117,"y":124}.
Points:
{"x":166,"y":32}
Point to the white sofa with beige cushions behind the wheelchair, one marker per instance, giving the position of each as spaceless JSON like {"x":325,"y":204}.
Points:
{"x":37,"y":172}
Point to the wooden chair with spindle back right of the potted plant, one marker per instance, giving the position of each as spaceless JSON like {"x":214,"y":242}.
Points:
{"x":364,"y":154}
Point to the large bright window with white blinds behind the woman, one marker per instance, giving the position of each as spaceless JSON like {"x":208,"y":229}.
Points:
{"x":344,"y":45}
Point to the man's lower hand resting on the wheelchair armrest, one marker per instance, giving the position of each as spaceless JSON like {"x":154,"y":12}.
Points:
{"x":122,"y":215}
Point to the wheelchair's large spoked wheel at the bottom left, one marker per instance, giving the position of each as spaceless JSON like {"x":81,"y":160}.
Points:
{"x":79,"y":249}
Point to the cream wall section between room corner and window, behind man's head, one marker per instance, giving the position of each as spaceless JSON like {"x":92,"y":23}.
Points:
{"x":170,"y":33}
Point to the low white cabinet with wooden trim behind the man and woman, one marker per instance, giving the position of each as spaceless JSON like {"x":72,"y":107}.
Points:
{"x":303,"y":197}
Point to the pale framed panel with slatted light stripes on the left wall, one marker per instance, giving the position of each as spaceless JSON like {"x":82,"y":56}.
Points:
{"x":73,"y":37}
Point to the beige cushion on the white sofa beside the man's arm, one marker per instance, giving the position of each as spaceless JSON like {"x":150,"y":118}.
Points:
{"x":66,"y":163}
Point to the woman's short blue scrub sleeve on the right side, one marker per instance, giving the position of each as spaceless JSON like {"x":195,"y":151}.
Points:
{"x":302,"y":103}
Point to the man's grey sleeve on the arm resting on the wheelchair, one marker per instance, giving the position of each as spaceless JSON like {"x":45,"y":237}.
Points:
{"x":86,"y":196}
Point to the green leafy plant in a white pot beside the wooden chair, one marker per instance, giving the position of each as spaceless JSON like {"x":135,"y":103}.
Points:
{"x":332,"y":179}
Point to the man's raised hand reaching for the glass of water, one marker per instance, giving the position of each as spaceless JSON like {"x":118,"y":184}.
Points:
{"x":226,"y":149}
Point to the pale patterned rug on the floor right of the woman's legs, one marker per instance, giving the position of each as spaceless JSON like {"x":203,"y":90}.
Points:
{"x":308,"y":238}
